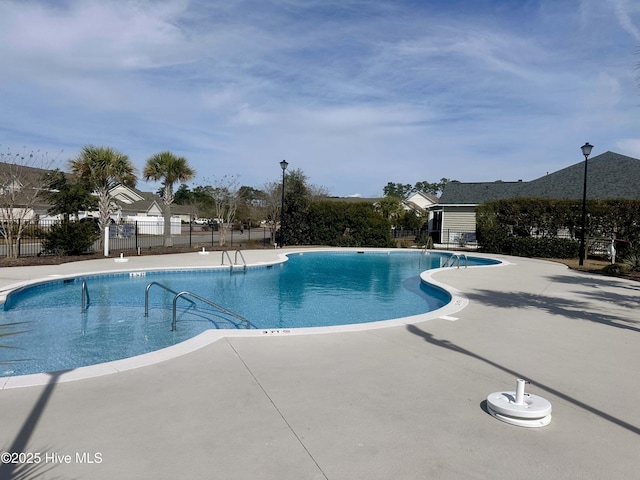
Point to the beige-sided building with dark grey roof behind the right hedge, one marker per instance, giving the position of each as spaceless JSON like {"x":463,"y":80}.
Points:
{"x":610,"y":176}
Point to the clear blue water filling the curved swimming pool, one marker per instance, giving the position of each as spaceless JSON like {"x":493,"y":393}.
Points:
{"x":311,"y":289}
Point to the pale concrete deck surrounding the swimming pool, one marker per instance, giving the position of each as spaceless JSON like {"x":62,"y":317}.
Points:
{"x":403,"y":402}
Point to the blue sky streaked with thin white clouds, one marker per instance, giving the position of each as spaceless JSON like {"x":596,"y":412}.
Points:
{"x":354,"y":93}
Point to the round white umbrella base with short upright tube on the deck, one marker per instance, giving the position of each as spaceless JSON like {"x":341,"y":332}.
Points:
{"x":519,"y":408}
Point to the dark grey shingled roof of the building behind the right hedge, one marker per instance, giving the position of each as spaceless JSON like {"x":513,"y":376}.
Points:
{"x":609,"y":176}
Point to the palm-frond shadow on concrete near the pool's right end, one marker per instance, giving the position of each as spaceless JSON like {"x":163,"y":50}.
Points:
{"x":562,"y":306}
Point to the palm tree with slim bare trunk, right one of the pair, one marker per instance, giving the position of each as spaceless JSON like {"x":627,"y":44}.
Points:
{"x":169,"y":169}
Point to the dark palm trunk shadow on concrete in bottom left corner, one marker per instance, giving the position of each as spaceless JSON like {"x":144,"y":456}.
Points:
{"x":24,"y":470}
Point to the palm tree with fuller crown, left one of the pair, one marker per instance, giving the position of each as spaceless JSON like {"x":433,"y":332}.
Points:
{"x":103,"y":168}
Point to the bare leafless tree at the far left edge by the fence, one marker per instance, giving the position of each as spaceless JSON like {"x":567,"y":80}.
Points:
{"x":22,"y":181}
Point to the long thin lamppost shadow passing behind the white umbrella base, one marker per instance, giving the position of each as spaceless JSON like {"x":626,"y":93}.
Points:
{"x":429,"y":338}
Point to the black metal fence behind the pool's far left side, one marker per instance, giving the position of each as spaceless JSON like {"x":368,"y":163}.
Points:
{"x":130,"y":236}
